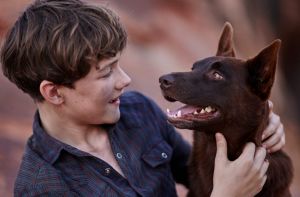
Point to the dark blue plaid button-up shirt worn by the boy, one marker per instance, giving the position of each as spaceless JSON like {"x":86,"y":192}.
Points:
{"x":151,"y":154}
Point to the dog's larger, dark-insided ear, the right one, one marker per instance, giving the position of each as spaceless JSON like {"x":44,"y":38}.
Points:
{"x":262,"y":69}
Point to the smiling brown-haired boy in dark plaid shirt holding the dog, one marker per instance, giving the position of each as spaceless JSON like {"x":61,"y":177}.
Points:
{"x":90,"y":139}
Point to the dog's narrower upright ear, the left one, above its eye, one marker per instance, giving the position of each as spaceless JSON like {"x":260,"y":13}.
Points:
{"x":225,"y":47}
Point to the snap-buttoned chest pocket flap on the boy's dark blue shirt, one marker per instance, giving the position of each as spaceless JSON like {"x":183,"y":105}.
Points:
{"x":159,"y":154}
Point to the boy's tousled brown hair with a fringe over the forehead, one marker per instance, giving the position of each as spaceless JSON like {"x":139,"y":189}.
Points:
{"x":58,"y":41}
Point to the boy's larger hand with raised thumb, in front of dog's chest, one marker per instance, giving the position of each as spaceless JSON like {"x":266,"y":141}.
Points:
{"x":245,"y":176}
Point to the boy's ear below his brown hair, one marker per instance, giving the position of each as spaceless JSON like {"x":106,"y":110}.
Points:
{"x":50,"y":92}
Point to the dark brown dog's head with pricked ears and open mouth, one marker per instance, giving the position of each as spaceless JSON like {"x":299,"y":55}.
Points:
{"x":222,"y":89}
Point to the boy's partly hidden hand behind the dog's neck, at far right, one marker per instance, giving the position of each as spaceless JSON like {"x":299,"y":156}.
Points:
{"x":273,"y":136}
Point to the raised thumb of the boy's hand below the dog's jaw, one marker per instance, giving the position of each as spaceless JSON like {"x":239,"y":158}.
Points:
{"x":221,"y":155}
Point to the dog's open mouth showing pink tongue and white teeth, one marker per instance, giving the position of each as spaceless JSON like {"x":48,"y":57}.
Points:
{"x":189,"y":113}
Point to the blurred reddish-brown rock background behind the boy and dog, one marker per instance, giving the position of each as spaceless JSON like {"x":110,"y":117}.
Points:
{"x":165,"y":36}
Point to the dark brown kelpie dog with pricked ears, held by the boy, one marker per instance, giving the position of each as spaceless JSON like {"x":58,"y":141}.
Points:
{"x":228,"y":95}
